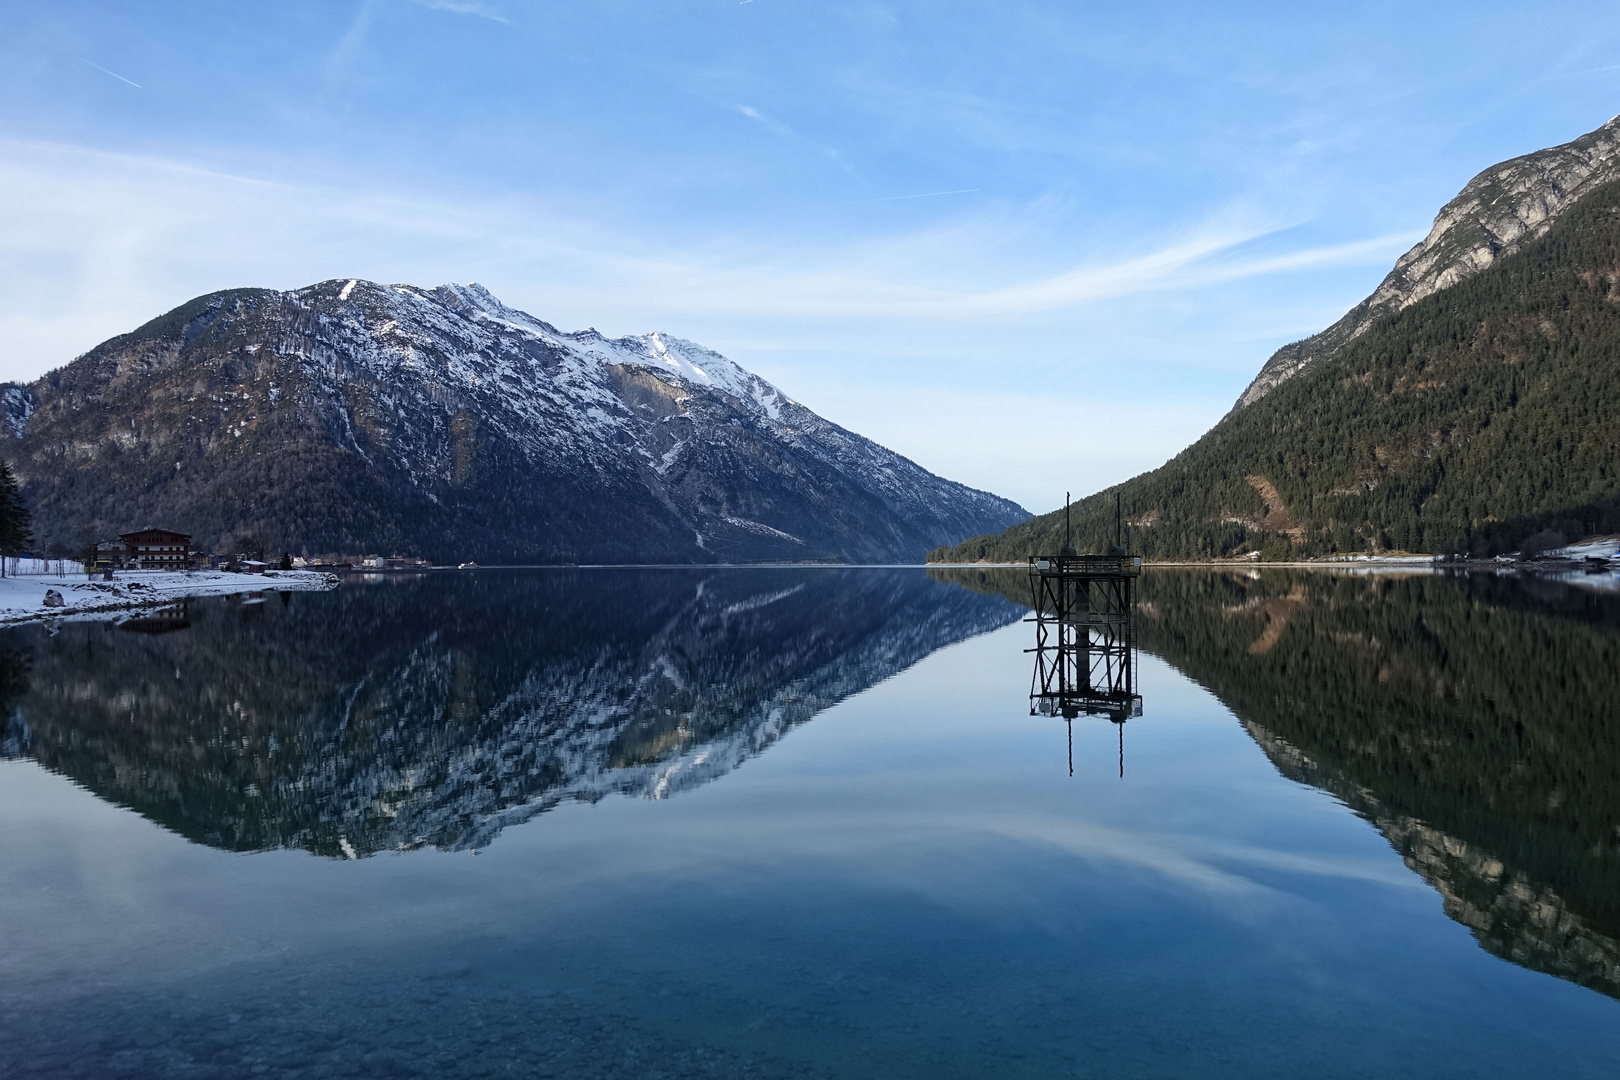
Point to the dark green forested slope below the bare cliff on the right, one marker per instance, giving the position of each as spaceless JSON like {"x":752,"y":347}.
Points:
{"x":1472,"y":420}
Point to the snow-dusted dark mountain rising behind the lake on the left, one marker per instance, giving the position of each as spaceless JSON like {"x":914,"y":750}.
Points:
{"x":362,"y":417}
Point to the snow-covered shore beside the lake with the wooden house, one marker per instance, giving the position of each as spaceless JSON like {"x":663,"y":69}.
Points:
{"x":23,"y":598}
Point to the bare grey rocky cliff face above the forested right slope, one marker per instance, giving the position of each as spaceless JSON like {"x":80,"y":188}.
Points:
{"x":1499,"y":211}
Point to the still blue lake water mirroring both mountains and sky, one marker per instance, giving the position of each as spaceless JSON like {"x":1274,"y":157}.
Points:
{"x":799,"y":823}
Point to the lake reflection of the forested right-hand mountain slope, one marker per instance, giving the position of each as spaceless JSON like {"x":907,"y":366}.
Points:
{"x":1470,"y":720}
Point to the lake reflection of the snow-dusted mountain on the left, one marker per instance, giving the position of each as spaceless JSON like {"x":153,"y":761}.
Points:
{"x":437,"y":712}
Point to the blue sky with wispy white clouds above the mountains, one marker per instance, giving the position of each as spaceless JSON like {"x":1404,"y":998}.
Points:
{"x":1036,"y":247}
